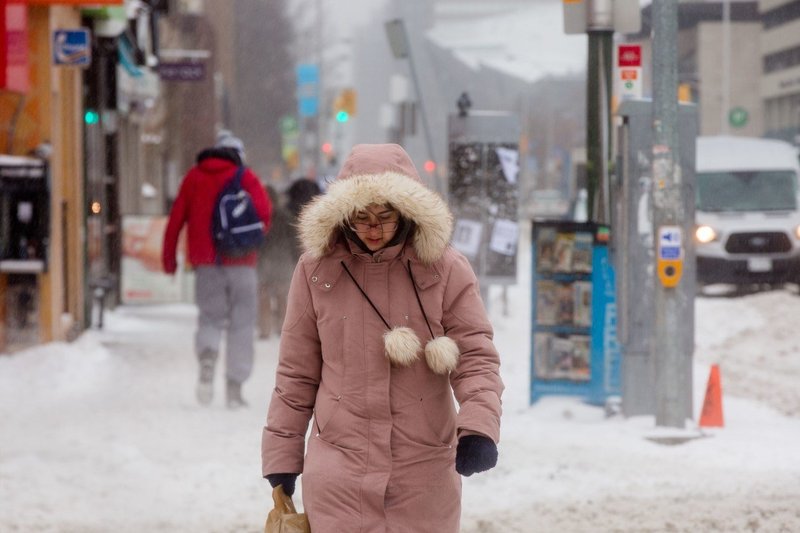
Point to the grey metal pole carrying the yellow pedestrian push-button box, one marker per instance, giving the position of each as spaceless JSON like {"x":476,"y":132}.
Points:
{"x":667,"y":211}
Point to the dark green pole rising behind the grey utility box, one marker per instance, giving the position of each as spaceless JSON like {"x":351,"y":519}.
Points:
{"x":600,"y":29}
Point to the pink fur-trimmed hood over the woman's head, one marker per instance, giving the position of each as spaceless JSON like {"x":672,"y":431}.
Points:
{"x":380,"y":174}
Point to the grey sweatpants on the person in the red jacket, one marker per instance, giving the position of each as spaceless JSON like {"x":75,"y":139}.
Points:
{"x":227,"y":299}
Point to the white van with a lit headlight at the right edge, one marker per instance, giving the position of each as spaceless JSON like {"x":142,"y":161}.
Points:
{"x":748,"y":211}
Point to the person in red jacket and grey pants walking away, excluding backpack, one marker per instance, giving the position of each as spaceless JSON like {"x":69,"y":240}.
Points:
{"x":225,"y":288}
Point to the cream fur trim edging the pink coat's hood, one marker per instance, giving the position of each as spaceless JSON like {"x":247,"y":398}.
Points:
{"x":321,"y":220}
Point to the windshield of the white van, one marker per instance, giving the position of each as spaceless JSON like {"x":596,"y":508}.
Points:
{"x":773,"y":190}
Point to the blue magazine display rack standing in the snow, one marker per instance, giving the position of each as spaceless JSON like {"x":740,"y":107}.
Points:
{"x":573,"y":342}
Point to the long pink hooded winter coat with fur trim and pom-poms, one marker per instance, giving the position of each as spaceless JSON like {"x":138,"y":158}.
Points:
{"x":381,"y":451}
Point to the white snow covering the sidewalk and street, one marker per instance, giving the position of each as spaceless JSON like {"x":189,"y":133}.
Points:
{"x":104,"y":435}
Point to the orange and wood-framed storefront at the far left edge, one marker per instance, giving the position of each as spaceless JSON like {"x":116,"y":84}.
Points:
{"x":42,"y":286}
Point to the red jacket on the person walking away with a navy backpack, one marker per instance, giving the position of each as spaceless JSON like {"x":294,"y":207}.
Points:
{"x":194,"y":207}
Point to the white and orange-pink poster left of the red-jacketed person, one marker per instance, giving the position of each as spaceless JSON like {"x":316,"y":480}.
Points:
{"x":143,"y":280}
